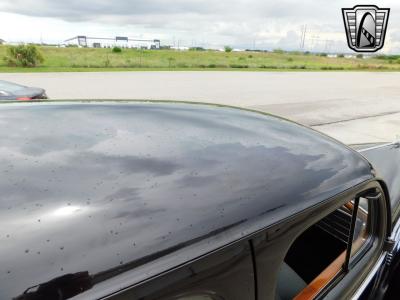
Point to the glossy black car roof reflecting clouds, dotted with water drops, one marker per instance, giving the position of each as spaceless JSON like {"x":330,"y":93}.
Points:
{"x":125,"y":191}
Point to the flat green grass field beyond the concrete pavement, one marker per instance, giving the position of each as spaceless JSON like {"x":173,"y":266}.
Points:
{"x":90,"y":59}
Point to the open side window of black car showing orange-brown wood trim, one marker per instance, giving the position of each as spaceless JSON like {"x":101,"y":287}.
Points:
{"x":323,"y":251}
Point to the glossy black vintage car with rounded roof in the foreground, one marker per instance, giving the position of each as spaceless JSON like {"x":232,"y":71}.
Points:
{"x":147,"y":200}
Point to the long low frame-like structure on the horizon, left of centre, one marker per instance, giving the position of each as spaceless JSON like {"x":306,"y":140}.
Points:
{"x":118,"y":41}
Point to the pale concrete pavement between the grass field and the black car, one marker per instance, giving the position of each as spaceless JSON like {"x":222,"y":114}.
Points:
{"x":354,"y":107}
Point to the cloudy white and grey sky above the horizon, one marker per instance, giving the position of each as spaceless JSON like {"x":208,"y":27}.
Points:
{"x":263,"y":24}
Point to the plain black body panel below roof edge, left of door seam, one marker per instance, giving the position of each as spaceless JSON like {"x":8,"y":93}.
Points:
{"x":226,"y":274}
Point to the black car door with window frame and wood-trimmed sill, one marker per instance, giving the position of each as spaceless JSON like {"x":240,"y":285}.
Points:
{"x":326,"y":251}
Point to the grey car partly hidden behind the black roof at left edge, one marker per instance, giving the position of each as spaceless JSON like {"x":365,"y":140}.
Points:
{"x":13,"y":91}
